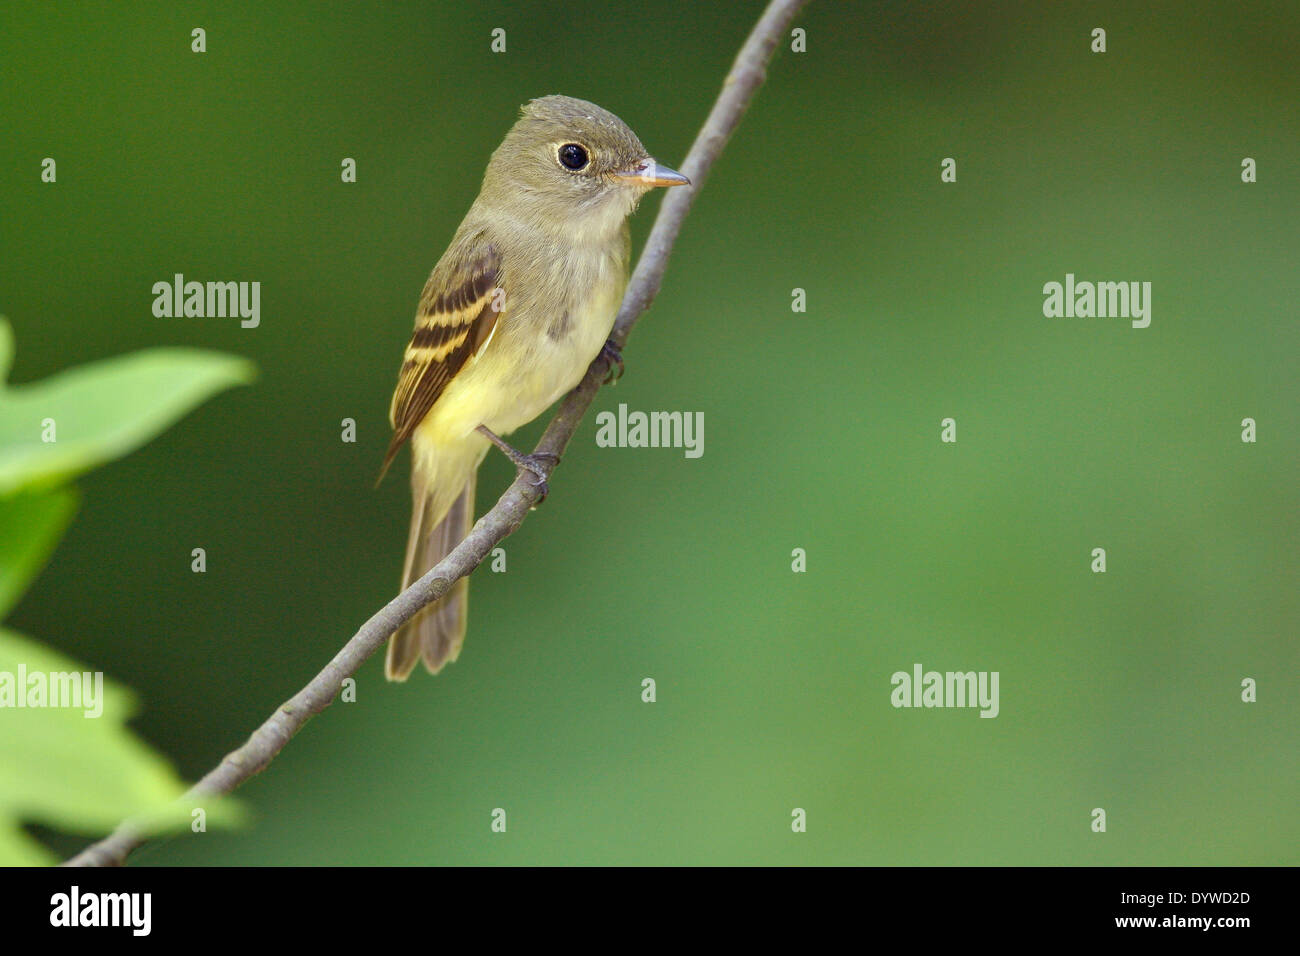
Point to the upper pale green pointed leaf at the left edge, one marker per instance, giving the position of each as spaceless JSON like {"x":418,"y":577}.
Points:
{"x":102,"y":412}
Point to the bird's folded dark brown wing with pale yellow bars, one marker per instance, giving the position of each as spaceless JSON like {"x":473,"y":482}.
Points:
{"x":458,"y":315}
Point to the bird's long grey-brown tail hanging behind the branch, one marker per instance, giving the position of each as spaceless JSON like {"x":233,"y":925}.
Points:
{"x":437,"y":633}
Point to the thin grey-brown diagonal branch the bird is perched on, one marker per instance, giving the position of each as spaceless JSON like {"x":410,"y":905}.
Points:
{"x":747,"y":75}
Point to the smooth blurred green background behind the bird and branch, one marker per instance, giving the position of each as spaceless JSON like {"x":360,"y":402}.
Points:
{"x":1120,"y":691}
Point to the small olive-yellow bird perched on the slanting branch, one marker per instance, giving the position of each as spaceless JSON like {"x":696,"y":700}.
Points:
{"x":512,"y":318}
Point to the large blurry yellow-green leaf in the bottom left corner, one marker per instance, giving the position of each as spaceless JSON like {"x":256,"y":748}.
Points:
{"x":66,"y":768}
